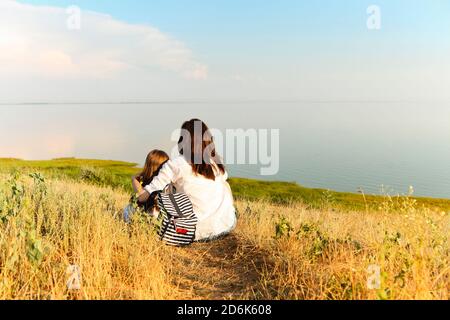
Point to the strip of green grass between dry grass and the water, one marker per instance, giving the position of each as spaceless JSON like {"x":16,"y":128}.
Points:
{"x":117,"y":174}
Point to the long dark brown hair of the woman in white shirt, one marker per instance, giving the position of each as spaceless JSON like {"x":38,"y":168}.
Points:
{"x":196,"y":144}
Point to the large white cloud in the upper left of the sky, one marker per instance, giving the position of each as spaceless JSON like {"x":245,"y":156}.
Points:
{"x":35,"y":41}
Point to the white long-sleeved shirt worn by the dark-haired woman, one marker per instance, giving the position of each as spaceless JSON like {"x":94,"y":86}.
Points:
{"x":212,"y":200}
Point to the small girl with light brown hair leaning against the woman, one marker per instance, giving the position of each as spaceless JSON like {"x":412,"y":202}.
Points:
{"x":153,"y":163}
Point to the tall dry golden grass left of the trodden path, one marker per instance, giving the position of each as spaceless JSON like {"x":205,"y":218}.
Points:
{"x":47,"y":226}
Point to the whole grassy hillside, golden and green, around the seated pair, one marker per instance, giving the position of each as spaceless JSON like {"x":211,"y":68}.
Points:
{"x":290,"y":242}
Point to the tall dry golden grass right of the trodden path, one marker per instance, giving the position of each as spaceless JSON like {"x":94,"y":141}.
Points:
{"x":329,"y":254}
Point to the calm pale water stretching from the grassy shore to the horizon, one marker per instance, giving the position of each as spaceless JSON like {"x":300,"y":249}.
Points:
{"x":341,"y":146}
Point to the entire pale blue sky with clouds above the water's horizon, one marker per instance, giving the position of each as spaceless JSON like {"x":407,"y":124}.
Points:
{"x":177,"y":50}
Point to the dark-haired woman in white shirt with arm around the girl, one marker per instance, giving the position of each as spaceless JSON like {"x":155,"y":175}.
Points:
{"x":199,"y":173}
